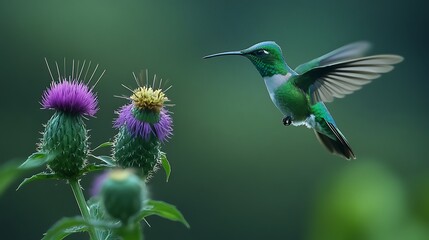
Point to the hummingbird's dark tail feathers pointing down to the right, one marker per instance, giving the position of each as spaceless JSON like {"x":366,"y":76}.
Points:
{"x":338,"y":146}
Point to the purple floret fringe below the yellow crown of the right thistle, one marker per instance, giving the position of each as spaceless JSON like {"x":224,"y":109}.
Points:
{"x":162,"y":129}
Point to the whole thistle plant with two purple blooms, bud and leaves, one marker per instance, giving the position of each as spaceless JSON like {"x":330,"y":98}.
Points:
{"x":120,"y":202}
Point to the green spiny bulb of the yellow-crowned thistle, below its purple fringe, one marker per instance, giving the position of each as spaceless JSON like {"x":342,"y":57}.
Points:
{"x":135,"y":152}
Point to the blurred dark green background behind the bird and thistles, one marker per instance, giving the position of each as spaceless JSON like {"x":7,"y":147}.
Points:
{"x":238,"y":173}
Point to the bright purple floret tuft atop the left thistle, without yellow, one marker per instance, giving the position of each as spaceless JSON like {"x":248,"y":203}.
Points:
{"x":72,"y":97}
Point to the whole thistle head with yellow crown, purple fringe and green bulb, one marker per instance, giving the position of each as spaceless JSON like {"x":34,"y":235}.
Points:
{"x":143,"y":125}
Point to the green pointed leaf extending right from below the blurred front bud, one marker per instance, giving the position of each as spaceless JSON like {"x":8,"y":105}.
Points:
{"x":162,"y":209}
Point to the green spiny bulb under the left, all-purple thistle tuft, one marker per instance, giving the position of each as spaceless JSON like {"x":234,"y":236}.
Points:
{"x":66,"y":135}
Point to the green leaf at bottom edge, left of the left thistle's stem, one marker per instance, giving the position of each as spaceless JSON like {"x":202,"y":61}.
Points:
{"x":65,"y":227}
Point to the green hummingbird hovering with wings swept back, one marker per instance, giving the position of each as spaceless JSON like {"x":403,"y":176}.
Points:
{"x":301,"y":93}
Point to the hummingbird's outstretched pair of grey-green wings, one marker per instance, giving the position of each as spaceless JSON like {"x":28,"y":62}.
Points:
{"x":335,"y":75}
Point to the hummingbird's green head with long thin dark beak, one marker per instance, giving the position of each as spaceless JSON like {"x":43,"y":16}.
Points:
{"x":266,"y":56}
